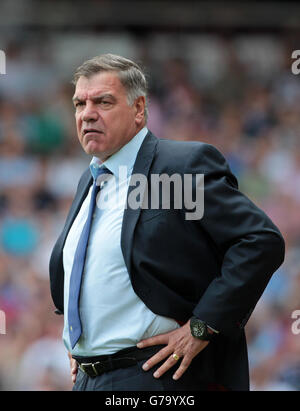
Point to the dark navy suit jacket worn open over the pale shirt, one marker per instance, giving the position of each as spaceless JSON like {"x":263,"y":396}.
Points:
{"x":215,"y":268}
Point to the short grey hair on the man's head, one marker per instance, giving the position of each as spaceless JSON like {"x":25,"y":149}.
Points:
{"x":130,"y":74}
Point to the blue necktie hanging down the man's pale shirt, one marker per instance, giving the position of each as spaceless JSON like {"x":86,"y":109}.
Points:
{"x":74,"y":322}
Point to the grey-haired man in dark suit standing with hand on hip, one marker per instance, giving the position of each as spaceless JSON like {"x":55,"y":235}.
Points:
{"x":155,"y":297}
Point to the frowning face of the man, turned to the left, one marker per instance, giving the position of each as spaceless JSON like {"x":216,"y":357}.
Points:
{"x":104,"y":120}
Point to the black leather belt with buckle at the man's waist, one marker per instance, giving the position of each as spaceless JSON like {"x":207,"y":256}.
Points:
{"x":94,"y":366}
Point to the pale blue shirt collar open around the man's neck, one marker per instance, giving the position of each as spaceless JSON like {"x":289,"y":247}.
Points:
{"x":125,"y":157}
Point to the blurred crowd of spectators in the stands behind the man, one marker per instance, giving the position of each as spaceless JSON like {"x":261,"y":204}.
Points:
{"x":236,"y":93}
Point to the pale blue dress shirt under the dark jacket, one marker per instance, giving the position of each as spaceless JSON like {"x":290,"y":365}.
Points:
{"x":113,"y":317}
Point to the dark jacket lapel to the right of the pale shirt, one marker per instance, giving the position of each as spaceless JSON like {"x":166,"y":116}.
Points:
{"x":130,"y":218}
